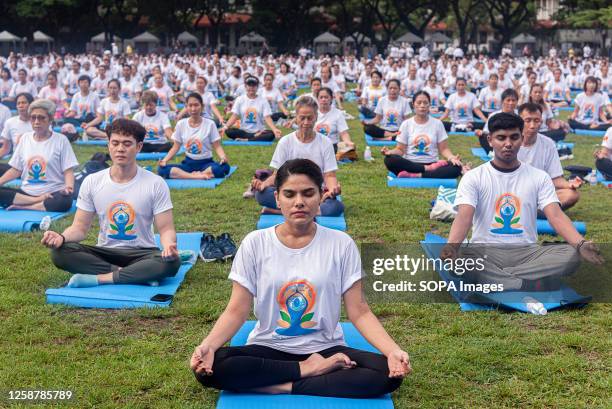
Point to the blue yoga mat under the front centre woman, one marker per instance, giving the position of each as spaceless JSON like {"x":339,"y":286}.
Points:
{"x":231,"y":400}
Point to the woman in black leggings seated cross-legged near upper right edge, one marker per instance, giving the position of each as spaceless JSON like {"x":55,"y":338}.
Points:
{"x":589,"y":111}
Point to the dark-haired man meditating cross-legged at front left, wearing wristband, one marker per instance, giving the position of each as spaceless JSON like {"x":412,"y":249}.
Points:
{"x":127,"y":200}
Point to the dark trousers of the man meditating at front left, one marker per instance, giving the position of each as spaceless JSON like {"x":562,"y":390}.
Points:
{"x":138,"y":265}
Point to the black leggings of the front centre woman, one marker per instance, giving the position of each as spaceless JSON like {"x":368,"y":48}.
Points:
{"x":244,"y":368}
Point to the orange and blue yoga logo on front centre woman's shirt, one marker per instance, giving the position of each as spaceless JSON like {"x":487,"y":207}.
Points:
{"x":296,"y":300}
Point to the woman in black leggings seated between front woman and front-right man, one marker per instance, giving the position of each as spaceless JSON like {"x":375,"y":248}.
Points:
{"x":418,"y":143}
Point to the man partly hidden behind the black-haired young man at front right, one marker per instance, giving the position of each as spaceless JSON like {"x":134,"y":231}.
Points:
{"x":541,"y":152}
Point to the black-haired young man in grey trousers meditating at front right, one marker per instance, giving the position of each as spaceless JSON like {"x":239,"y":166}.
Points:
{"x":499,"y":201}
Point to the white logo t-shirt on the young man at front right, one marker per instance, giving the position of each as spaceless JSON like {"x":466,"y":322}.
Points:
{"x":506,"y":203}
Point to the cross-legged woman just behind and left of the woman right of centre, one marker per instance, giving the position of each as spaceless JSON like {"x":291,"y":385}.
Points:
{"x":391,"y":111}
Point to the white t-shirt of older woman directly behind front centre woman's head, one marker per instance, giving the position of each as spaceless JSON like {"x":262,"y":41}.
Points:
{"x":320,"y":150}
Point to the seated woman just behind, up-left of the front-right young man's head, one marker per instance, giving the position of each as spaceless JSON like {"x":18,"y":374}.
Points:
{"x":461,"y":107}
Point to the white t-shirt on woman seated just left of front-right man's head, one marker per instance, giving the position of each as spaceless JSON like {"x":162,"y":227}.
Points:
{"x":422,"y":140}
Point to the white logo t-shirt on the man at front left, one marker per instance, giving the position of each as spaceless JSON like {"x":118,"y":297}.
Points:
{"x":125,"y":210}
